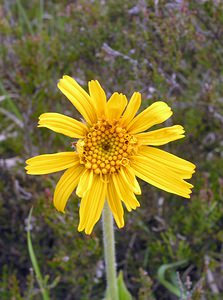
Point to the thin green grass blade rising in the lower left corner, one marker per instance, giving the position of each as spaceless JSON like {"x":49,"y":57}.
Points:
{"x":34,"y":261}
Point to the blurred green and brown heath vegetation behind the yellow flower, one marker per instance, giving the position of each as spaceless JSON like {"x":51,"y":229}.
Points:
{"x":167,"y":50}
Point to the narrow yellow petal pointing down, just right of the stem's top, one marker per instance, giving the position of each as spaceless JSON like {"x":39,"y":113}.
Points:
{"x":115,"y":205}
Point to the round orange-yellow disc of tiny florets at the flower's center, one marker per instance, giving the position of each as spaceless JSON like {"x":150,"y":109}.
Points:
{"x":106,"y":147}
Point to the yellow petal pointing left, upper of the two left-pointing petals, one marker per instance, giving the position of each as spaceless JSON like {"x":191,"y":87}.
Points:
{"x":63,"y":124}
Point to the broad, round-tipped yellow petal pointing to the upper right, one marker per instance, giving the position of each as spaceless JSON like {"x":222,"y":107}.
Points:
{"x":155,"y":114}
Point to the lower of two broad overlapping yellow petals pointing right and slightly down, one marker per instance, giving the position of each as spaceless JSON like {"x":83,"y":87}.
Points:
{"x":160,"y":176}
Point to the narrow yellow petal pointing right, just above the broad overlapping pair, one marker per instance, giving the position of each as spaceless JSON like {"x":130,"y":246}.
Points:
{"x":161,"y":136}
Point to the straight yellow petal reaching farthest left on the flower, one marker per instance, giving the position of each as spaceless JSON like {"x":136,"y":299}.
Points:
{"x":50,"y":163}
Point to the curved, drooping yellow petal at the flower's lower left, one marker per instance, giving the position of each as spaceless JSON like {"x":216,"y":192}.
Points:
{"x":66,"y":186}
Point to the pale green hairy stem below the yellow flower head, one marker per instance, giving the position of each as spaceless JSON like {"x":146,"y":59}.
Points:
{"x":109,"y":252}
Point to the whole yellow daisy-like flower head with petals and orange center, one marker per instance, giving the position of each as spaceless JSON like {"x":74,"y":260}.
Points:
{"x":112,"y":148}
